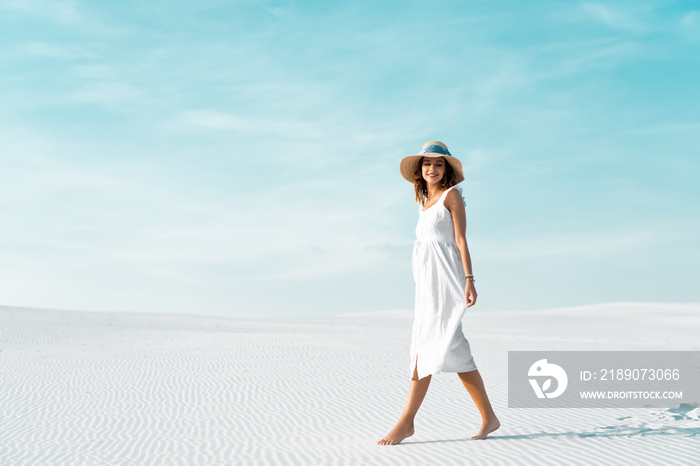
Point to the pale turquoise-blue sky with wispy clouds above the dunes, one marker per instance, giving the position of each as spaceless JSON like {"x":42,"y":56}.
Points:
{"x":241,"y":158}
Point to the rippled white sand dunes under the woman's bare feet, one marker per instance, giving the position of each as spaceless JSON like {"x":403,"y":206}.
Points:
{"x":118,"y":388}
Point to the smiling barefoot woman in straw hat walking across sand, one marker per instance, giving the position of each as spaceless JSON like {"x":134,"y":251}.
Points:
{"x":442,"y":271}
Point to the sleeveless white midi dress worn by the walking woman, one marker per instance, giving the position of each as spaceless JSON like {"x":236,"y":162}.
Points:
{"x":438,"y":343}
